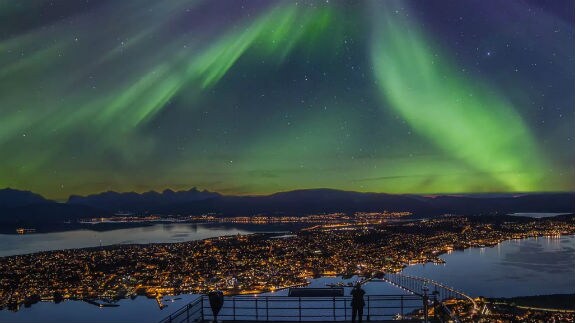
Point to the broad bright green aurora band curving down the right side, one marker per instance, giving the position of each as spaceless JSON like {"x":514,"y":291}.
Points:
{"x":468,"y":121}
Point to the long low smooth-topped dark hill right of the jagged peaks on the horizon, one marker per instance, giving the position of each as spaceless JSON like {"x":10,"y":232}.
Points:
{"x":325,"y":200}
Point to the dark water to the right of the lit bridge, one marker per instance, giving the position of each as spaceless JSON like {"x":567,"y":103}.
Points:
{"x":533,"y":266}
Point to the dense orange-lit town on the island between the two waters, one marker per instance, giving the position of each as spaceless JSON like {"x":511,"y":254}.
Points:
{"x":250,"y":263}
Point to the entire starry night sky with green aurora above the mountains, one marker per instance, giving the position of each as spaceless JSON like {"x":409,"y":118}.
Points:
{"x":256,"y":97}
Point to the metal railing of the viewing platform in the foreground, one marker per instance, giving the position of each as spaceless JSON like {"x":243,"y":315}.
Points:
{"x":297,"y":309}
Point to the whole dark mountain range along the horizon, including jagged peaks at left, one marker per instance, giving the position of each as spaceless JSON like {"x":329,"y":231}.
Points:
{"x":22,"y":206}
